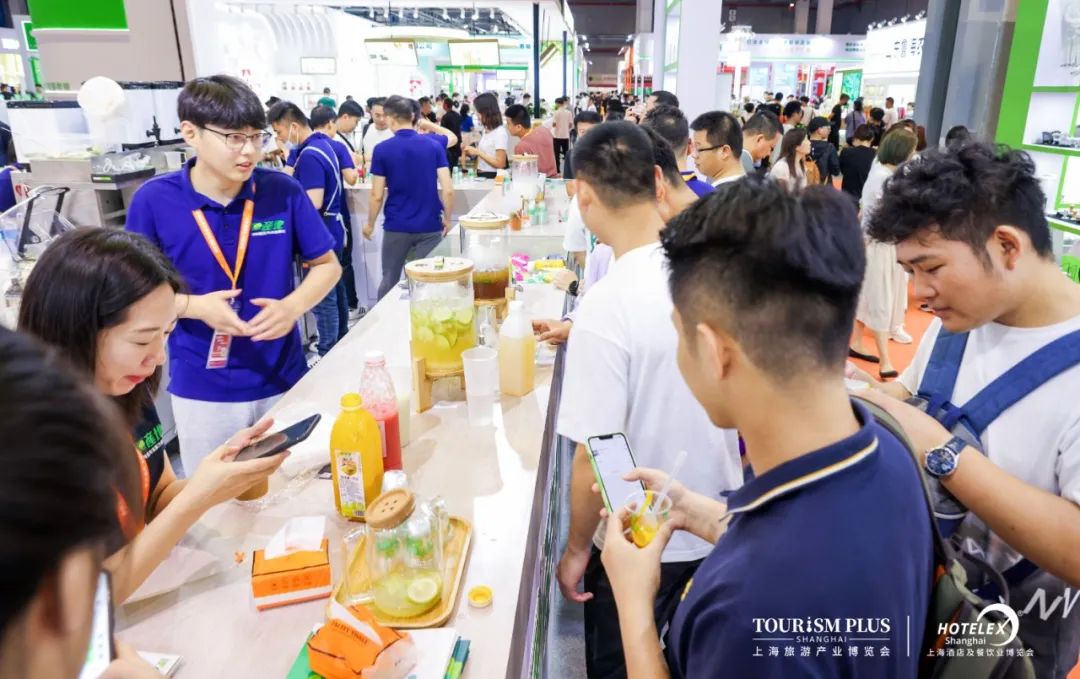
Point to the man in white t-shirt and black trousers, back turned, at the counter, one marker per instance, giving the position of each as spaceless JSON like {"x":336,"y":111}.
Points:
{"x":622,"y":377}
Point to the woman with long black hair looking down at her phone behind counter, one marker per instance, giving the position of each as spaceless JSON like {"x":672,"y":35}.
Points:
{"x":106,"y":300}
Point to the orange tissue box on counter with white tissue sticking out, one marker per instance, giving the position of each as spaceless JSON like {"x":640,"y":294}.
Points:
{"x":291,"y":579}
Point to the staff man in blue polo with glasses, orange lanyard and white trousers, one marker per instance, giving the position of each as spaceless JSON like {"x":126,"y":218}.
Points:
{"x":234,"y":233}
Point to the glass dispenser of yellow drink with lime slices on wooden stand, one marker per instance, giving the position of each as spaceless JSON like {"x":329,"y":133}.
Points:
{"x":441,"y":314}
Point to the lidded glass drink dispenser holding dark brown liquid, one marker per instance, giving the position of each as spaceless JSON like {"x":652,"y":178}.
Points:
{"x":485,"y":241}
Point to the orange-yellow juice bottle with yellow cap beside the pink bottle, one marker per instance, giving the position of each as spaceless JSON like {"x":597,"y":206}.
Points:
{"x":356,"y":459}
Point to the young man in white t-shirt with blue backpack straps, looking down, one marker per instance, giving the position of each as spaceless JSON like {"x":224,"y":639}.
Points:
{"x":969,"y":227}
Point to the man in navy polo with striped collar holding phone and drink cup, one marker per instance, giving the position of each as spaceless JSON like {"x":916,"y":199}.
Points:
{"x":806,"y":578}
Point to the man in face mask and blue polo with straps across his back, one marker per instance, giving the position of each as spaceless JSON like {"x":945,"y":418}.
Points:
{"x":319,"y":172}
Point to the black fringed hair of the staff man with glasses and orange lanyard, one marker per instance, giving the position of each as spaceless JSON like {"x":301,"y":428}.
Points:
{"x":221,"y":101}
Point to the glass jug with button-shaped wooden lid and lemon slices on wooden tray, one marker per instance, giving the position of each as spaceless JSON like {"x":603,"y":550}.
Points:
{"x":404,"y":555}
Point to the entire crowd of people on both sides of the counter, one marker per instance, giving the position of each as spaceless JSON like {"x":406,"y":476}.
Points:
{"x":726,"y":262}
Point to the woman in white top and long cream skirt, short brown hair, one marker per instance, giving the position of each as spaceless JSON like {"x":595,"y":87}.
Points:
{"x":884,"y":298}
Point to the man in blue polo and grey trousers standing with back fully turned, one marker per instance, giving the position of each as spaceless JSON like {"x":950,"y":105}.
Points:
{"x":409,"y":172}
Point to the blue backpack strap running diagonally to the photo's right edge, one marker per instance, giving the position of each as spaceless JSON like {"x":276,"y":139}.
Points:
{"x":1021,"y":381}
